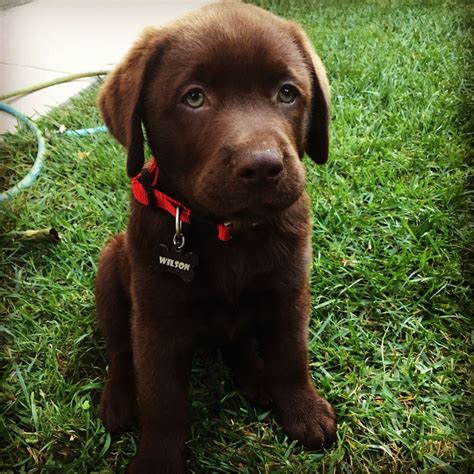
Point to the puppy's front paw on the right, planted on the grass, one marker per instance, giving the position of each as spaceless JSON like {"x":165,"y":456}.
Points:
{"x":310,"y":419}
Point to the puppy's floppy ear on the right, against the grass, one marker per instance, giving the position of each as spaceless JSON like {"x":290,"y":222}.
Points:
{"x":317,"y":139}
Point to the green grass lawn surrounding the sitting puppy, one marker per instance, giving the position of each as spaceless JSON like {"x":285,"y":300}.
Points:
{"x":390,"y":334}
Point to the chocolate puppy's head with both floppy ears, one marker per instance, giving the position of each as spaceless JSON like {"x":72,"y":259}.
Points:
{"x":230,"y":97}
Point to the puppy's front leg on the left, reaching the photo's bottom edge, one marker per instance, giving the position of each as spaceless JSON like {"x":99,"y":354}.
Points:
{"x":162,"y":358}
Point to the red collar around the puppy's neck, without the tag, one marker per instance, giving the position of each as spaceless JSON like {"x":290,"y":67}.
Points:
{"x":143,"y":191}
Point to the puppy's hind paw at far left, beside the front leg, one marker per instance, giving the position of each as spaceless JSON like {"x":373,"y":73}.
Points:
{"x":118,"y":407}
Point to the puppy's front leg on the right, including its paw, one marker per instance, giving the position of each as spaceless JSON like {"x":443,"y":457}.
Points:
{"x":302,"y":412}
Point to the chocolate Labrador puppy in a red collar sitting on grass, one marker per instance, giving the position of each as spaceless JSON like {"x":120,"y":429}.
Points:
{"x":217,"y":250}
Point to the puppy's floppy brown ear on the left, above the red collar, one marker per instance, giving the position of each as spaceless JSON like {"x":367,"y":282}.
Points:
{"x":120,"y":98}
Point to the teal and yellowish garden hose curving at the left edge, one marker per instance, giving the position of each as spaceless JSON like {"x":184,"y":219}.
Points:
{"x":38,"y":164}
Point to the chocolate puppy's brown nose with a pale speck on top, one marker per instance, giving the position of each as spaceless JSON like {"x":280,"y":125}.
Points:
{"x":258,"y":167}
